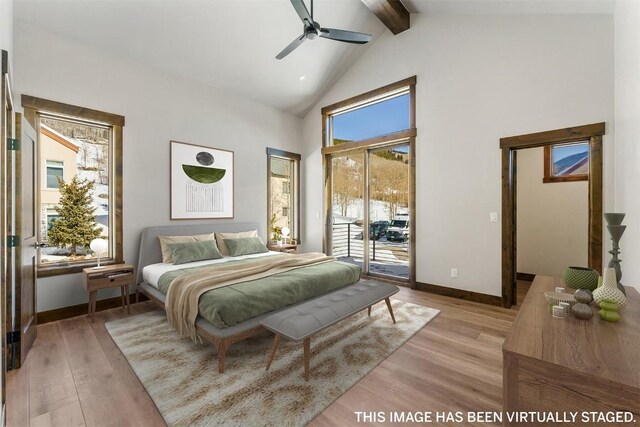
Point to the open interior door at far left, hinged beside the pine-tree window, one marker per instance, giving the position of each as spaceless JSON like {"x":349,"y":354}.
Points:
{"x":26,"y":182}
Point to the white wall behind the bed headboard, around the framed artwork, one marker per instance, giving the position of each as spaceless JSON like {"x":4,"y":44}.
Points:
{"x":158,"y":107}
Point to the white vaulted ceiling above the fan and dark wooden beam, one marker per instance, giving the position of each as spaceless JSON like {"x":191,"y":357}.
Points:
{"x":231,"y":44}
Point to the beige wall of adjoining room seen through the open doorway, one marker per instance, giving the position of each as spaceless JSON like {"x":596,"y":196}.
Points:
{"x":552,"y":219}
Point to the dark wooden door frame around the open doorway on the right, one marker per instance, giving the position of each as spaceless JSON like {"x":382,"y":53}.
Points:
{"x":592,"y":136}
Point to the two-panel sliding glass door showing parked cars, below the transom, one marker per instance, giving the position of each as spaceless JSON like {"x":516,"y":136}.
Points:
{"x":370,"y":209}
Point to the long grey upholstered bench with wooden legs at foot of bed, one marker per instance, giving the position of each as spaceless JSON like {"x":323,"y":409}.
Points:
{"x":299,"y":323}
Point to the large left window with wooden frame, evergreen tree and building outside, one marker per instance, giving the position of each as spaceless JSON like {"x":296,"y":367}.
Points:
{"x":83,"y":149}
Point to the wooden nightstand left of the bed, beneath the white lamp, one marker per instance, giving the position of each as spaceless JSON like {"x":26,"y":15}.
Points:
{"x":110,"y":276}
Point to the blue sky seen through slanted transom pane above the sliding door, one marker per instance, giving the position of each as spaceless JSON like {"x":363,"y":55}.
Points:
{"x":374,"y":120}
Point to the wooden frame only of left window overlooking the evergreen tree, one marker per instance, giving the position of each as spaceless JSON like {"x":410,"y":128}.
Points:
{"x":33,"y":107}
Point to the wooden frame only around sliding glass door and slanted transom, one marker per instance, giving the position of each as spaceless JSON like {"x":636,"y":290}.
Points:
{"x":407,"y":136}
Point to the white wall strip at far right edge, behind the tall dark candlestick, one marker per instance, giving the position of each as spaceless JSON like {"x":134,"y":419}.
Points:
{"x":627,"y":135}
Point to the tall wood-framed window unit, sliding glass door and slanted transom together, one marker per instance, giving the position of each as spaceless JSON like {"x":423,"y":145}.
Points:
{"x":368,"y":148}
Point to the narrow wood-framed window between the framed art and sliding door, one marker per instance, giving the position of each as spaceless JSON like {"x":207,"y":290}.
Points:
{"x":283,"y":193}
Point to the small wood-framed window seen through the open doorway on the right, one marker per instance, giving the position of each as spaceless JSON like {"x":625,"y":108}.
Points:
{"x":566,"y":162}
